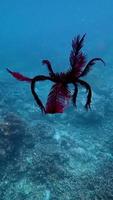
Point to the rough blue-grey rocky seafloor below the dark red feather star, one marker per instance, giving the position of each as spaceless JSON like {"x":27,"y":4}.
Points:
{"x":56,"y":157}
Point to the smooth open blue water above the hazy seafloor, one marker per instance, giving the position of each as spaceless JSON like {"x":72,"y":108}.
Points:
{"x":31,"y":30}
